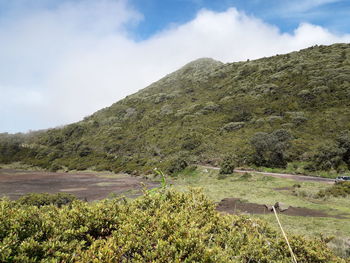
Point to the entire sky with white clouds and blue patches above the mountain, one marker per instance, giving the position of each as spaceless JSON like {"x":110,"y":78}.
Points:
{"x":62,"y":60}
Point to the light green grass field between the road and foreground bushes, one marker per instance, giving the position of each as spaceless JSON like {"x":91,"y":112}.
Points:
{"x":267,"y":190}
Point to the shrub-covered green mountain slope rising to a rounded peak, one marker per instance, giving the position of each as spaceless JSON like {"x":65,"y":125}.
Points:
{"x":291,"y":108}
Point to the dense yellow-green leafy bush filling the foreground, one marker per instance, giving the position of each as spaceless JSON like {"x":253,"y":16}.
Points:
{"x":163,"y":227}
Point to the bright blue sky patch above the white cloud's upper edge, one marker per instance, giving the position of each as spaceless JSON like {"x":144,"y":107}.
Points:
{"x":287,"y":15}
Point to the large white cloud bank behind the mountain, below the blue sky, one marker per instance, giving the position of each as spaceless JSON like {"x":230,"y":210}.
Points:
{"x":78,"y":58}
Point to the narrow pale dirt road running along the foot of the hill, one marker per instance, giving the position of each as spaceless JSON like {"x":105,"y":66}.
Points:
{"x":281,"y":175}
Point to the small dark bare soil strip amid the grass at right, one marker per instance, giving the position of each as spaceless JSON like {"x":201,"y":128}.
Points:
{"x":236,"y":206}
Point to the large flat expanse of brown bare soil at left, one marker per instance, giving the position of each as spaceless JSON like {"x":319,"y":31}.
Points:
{"x":15,"y":183}
